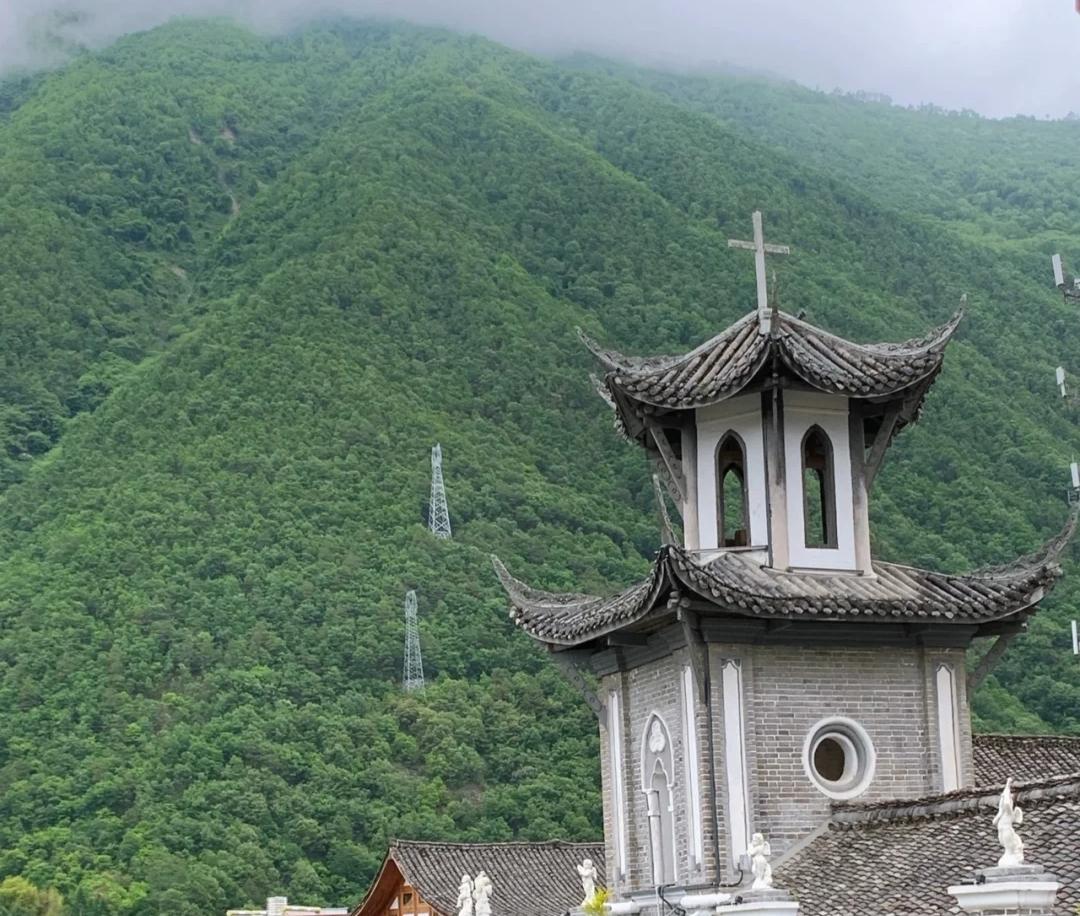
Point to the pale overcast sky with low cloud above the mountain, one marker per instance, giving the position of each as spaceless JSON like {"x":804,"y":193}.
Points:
{"x":997,"y":57}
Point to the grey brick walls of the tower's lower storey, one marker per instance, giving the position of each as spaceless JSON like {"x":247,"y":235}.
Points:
{"x":890,"y":693}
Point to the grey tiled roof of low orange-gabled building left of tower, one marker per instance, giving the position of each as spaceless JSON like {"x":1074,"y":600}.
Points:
{"x":528,"y":879}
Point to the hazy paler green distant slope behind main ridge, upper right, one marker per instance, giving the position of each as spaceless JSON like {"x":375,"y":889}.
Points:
{"x":1016,"y":179}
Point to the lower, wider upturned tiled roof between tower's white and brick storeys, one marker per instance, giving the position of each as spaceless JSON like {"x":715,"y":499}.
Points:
{"x":737,"y":585}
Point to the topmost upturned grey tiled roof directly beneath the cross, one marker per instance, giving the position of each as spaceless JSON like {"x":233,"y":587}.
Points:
{"x":726,"y":366}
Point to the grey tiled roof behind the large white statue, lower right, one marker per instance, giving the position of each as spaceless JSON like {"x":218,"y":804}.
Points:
{"x":898,"y":859}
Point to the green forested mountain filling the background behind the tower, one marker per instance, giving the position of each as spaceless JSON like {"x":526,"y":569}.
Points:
{"x":247,"y":284}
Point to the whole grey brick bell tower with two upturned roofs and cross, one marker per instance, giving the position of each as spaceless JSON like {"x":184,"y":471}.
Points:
{"x":768,"y":666}
